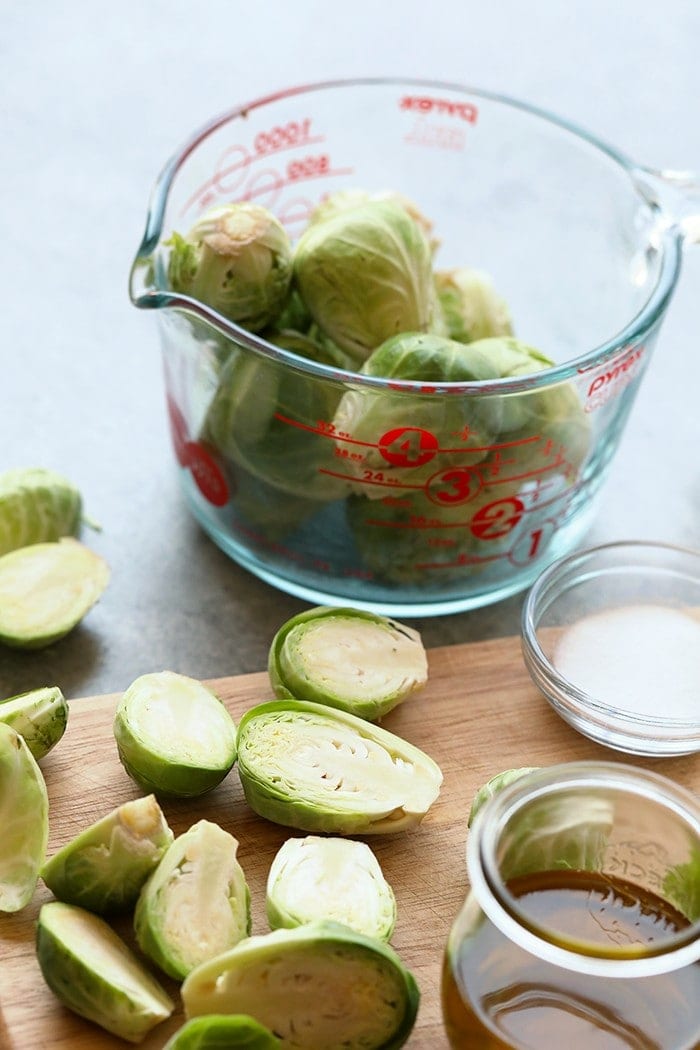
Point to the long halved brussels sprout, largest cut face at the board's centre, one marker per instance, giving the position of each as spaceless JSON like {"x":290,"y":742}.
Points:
{"x":319,"y":769}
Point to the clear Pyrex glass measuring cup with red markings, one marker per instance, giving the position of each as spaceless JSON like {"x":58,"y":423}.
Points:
{"x":404,"y":496}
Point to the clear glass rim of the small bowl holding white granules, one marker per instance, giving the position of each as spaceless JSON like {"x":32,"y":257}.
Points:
{"x":554,"y":582}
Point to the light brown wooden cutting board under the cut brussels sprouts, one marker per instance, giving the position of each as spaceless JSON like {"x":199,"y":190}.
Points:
{"x":479,"y":715}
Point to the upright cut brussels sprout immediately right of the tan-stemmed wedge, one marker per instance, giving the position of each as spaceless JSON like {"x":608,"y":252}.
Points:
{"x":197,"y":904}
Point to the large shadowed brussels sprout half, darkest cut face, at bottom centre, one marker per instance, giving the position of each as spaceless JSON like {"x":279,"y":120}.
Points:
{"x":319,"y":986}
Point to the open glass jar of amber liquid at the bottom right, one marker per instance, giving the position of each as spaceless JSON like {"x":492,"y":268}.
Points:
{"x":582,"y":928}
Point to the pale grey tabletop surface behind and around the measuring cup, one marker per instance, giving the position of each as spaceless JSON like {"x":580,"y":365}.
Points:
{"x":95,"y":97}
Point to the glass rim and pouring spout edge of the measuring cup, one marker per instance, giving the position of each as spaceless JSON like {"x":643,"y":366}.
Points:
{"x":633,"y":332}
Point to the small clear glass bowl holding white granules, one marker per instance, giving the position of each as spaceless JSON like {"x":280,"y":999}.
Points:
{"x":611,"y":637}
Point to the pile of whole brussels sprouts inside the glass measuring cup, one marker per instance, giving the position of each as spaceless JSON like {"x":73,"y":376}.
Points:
{"x":360,"y":291}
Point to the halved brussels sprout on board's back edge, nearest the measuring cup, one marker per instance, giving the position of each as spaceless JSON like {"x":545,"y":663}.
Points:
{"x":349,"y":659}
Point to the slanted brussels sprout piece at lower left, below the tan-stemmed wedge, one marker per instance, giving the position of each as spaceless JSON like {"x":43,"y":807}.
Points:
{"x":95,"y":974}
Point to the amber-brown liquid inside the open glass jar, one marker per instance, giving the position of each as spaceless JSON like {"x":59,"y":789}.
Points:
{"x":498,"y":996}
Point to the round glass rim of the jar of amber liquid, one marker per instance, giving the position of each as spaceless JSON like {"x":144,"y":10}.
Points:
{"x":503,"y":909}
